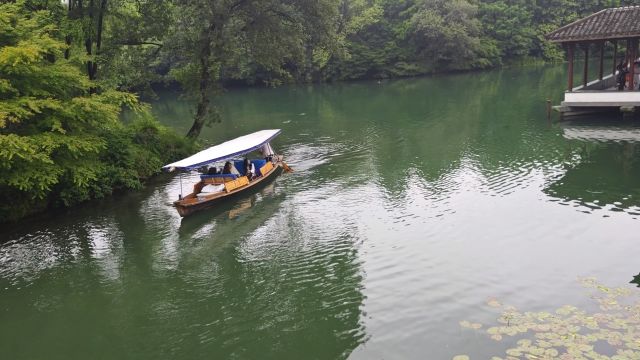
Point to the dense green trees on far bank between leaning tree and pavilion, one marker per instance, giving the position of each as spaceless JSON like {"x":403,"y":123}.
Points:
{"x":385,"y":38}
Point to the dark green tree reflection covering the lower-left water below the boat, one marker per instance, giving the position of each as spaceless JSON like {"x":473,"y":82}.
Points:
{"x":226,"y":284}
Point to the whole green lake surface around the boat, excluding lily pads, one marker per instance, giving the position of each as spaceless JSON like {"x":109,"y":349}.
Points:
{"x":412,"y":203}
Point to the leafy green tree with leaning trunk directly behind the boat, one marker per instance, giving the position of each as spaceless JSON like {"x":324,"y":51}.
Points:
{"x":230,"y":38}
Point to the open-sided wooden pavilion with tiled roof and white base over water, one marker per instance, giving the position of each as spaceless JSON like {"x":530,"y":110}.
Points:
{"x":619,"y":27}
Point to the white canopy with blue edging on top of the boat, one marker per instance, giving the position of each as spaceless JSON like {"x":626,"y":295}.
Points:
{"x":226,"y":150}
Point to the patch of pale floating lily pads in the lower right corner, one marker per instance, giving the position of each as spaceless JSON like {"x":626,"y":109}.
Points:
{"x":570,"y":333}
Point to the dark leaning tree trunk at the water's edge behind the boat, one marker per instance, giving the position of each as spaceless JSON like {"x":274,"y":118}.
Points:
{"x":205,"y":85}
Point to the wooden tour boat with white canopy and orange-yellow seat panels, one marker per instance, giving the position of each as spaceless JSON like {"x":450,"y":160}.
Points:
{"x":212,"y":189}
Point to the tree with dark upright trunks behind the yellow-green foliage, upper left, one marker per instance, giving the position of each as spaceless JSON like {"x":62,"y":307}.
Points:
{"x":118,"y":40}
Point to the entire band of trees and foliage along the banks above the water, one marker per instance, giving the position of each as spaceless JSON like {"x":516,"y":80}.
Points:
{"x":68,"y":69}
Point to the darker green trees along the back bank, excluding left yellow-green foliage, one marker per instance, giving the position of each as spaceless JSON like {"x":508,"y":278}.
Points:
{"x":203,"y":46}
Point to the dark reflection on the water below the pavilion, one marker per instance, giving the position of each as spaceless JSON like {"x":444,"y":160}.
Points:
{"x":604,"y":169}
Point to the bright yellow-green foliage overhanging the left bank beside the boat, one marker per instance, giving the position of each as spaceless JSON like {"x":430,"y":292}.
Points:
{"x":61,"y":143}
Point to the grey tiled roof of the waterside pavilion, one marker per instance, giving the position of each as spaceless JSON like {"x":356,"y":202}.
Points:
{"x":608,"y":24}
